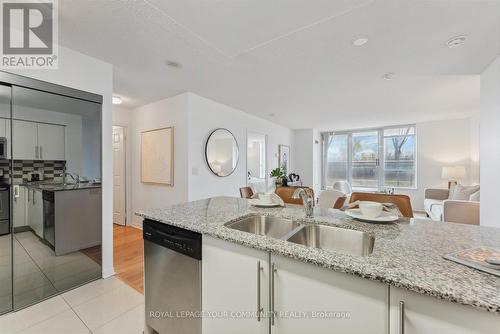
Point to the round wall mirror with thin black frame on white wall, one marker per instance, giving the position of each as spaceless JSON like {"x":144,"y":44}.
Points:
{"x":221,"y":152}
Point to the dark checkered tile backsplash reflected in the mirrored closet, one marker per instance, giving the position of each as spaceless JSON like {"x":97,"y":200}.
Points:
{"x":22,"y":168}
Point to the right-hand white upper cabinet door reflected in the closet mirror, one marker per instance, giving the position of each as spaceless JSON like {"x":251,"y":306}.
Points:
{"x":51,"y":141}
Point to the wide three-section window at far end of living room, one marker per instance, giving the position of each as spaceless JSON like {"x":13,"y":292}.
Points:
{"x":375,"y":158}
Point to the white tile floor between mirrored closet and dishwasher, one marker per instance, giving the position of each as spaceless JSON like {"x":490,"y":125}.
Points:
{"x":106,"y":306}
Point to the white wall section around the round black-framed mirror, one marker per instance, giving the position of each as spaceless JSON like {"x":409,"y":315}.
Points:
{"x":206,"y":115}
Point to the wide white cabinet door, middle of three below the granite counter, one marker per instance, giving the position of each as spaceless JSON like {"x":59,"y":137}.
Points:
{"x":311,"y":299}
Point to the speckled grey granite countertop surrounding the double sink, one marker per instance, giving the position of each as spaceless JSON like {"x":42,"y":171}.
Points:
{"x":406,"y":255}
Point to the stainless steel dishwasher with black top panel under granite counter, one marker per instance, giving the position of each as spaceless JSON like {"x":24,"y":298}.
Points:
{"x":172,"y":279}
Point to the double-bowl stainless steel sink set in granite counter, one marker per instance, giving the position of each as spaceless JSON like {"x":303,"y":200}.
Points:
{"x":316,"y":236}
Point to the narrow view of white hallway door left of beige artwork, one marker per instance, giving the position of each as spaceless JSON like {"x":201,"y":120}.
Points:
{"x":119,"y":207}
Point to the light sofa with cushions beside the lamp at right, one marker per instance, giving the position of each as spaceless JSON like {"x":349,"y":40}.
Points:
{"x":440,"y":205}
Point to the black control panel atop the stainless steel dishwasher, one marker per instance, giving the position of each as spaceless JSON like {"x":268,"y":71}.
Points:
{"x":175,"y":238}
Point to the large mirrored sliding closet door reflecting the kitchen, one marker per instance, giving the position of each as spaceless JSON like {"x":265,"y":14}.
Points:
{"x":44,"y":119}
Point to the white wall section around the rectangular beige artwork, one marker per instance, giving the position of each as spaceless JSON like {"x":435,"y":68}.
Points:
{"x":164,"y":113}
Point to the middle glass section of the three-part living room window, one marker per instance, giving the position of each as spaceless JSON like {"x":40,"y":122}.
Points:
{"x":365,"y":160}
